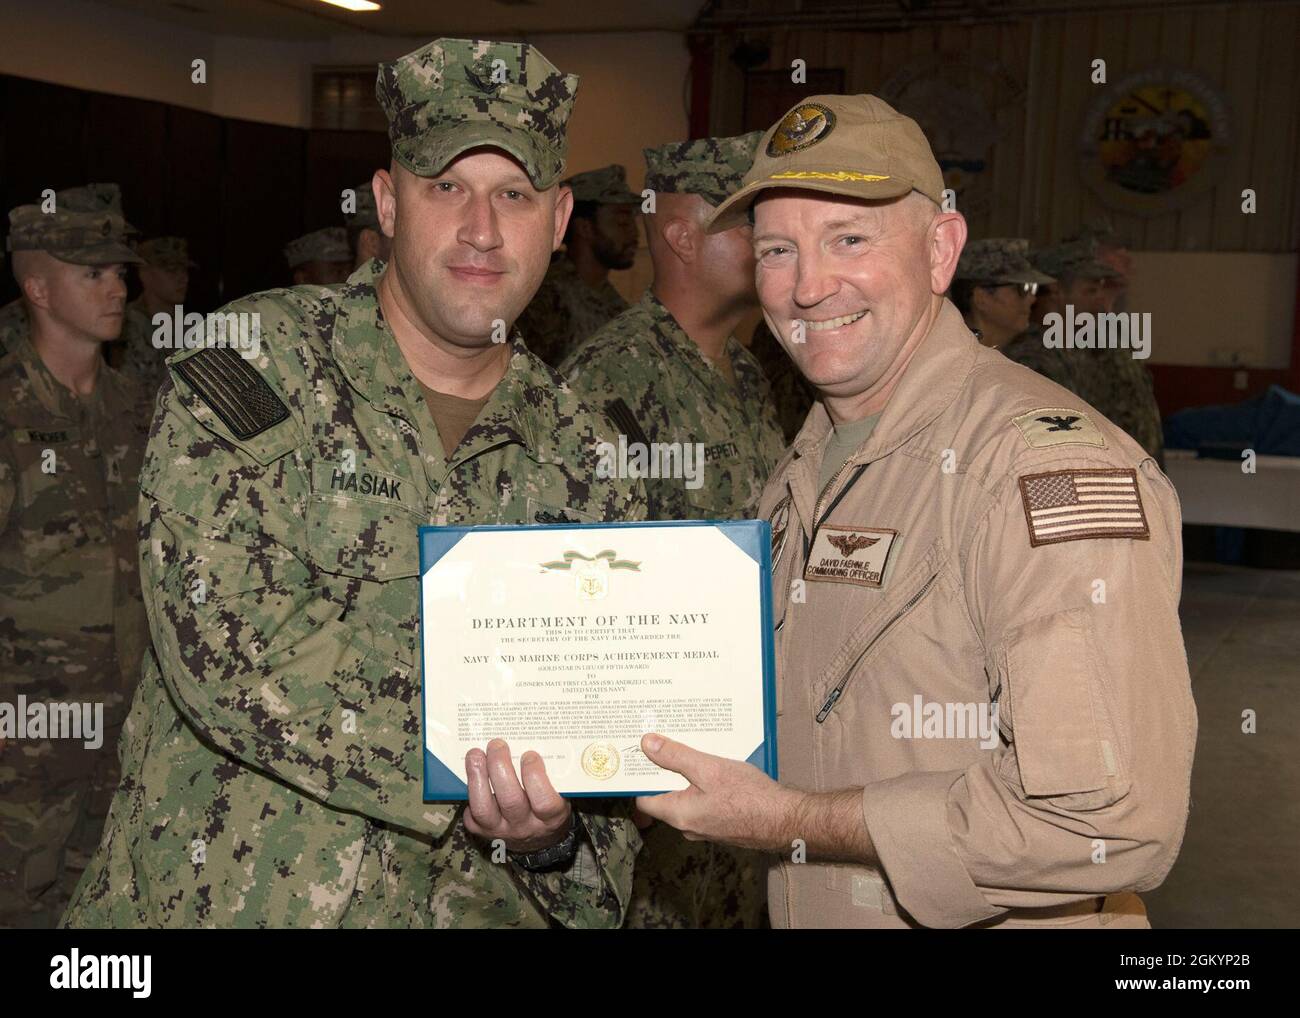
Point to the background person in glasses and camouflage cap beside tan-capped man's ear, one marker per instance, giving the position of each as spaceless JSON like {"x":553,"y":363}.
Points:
{"x":995,"y":288}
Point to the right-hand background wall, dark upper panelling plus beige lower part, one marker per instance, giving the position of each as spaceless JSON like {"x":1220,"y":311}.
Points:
{"x":1034,"y":76}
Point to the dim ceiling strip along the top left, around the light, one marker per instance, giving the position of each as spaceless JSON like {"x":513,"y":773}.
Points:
{"x":307,"y":20}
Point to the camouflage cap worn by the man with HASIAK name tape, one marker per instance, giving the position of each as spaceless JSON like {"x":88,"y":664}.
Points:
{"x":458,"y":94}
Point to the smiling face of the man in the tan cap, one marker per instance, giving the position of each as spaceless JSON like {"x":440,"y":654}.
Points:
{"x":864,"y":278}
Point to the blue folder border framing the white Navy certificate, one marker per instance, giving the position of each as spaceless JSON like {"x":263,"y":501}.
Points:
{"x":753,"y":538}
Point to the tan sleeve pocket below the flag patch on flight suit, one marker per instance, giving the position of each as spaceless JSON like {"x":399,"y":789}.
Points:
{"x":1065,"y":740}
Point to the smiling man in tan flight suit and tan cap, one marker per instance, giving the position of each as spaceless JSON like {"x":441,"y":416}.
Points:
{"x":985,"y":713}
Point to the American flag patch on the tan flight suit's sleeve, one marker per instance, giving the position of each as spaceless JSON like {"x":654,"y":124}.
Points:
{"x":1078,"y":505}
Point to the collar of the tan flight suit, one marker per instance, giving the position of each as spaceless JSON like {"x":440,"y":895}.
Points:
{"x":930,"y":384}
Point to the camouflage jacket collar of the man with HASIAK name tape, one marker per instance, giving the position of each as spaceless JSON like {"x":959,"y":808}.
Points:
{"x":369,"y":356}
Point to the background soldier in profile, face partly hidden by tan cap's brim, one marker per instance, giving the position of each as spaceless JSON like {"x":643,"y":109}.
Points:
{"x":683,"y":379}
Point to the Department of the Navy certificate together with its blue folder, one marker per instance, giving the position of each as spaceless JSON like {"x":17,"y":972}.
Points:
{"x":574,"y":642}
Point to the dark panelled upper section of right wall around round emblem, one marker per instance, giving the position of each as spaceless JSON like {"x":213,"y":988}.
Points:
{"x":1034,"y":76}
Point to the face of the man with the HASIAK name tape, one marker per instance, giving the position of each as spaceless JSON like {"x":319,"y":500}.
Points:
{"x":471,"y":246}
